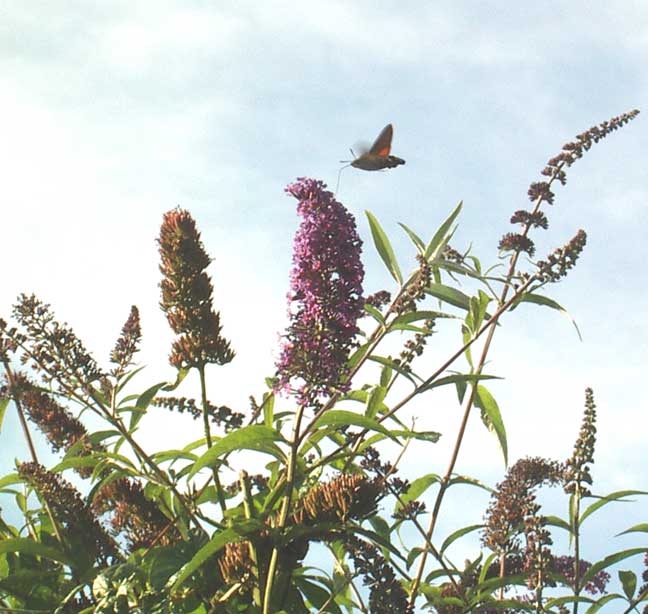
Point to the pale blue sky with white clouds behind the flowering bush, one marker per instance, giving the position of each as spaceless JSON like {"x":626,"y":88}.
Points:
{"x":113,"y":113}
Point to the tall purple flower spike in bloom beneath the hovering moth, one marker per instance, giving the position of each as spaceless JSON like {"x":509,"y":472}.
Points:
{"x":325,"y":298}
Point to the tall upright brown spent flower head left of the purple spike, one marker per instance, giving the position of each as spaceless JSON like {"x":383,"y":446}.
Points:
{"x":187,"y":295}
